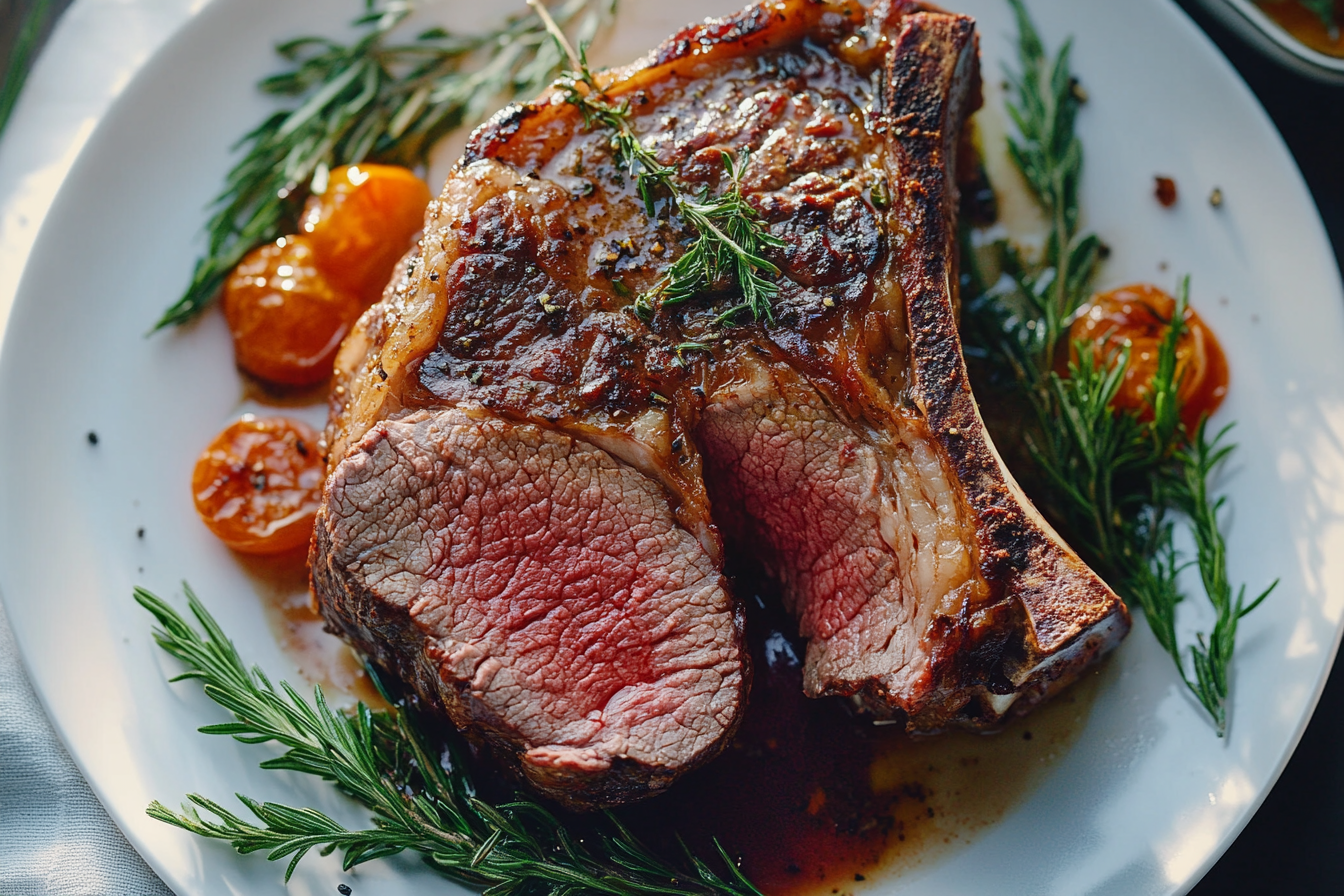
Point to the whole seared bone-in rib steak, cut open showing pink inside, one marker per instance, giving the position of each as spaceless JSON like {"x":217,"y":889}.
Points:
{"x":532,"y":487}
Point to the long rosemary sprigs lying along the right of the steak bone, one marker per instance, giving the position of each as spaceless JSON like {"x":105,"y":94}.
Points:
{"x":1112,"y":478}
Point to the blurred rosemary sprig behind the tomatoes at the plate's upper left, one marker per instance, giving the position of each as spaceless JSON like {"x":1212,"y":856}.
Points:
{"x":372,"y":100}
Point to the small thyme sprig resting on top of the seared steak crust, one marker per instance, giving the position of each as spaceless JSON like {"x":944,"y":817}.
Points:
{"x":728,"y":251}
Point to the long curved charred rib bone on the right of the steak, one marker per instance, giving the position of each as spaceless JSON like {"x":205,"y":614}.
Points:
{"x":1072,"y":616}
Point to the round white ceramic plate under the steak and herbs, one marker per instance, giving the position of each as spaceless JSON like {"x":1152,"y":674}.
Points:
{"x":1143,"y":804}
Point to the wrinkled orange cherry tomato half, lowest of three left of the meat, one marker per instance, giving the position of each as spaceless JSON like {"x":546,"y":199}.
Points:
{"x":259,"y":486}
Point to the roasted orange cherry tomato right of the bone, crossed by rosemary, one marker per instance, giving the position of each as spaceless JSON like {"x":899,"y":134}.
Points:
{"x":1139,"y":315}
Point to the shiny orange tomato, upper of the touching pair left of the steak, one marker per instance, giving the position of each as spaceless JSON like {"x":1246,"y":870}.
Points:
{"x":364,"y":224}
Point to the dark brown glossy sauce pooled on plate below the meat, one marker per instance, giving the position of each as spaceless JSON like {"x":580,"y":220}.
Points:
{"x":816,"y":801}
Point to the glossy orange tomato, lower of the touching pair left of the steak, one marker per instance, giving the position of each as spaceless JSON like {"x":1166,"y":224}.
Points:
{"x":287,"y":318}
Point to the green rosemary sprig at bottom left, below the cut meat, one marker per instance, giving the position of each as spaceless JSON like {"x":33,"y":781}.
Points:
{"x":423,"y":800}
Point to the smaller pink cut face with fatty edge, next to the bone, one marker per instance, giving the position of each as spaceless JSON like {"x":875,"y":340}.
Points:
{"x":858,"y":527}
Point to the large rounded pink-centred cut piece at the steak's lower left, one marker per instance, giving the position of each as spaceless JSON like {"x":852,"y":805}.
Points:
{"x":540,"y":592}
